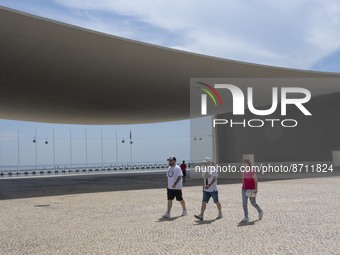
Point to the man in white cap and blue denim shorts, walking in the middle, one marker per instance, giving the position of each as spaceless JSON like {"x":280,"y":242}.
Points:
{"x":210,"y":175}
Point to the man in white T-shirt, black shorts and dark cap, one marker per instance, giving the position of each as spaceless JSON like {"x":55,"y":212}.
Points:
{"x":174,"y":189}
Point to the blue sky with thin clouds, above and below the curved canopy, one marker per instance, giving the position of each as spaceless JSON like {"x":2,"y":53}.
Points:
{"x":297,"y":34}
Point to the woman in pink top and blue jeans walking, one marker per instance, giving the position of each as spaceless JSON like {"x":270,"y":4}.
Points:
{"x":249,"y":189}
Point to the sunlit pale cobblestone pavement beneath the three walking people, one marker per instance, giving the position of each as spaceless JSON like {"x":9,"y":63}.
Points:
{"x":301,"y":217}
